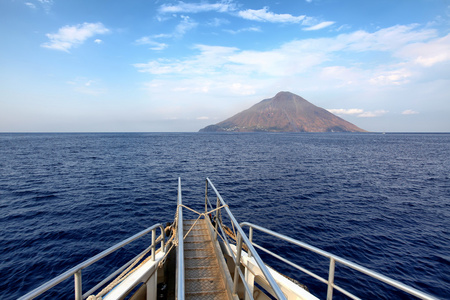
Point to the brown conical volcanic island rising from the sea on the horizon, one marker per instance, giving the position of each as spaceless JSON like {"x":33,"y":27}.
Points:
{"x":285,"y":112}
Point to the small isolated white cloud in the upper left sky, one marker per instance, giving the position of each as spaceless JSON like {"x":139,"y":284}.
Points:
{"x":69,"y":36}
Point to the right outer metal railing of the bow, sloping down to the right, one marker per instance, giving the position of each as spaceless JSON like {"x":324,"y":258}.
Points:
{"x":335,"y":259}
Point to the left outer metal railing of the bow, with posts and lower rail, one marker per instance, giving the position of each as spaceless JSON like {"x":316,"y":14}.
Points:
{"x":76,"y":271}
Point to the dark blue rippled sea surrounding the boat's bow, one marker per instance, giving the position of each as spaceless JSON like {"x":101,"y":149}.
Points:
{"x":382,"y":201}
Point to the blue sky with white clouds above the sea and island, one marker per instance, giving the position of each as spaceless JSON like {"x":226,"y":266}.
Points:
{"x":178,"y":66}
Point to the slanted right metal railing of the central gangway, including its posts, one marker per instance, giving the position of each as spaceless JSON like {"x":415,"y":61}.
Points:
{"x":241,"y":238}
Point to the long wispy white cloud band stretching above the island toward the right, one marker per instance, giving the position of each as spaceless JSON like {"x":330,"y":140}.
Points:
{"x":300,"y":56}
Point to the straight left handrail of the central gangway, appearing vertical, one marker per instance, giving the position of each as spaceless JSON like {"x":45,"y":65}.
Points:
{"x":180,"y":248}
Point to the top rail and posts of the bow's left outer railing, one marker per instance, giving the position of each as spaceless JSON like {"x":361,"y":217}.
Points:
{"x":76,"y":271}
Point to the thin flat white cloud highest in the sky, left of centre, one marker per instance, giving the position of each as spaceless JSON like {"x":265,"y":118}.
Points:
{"x":182,"y":7}
